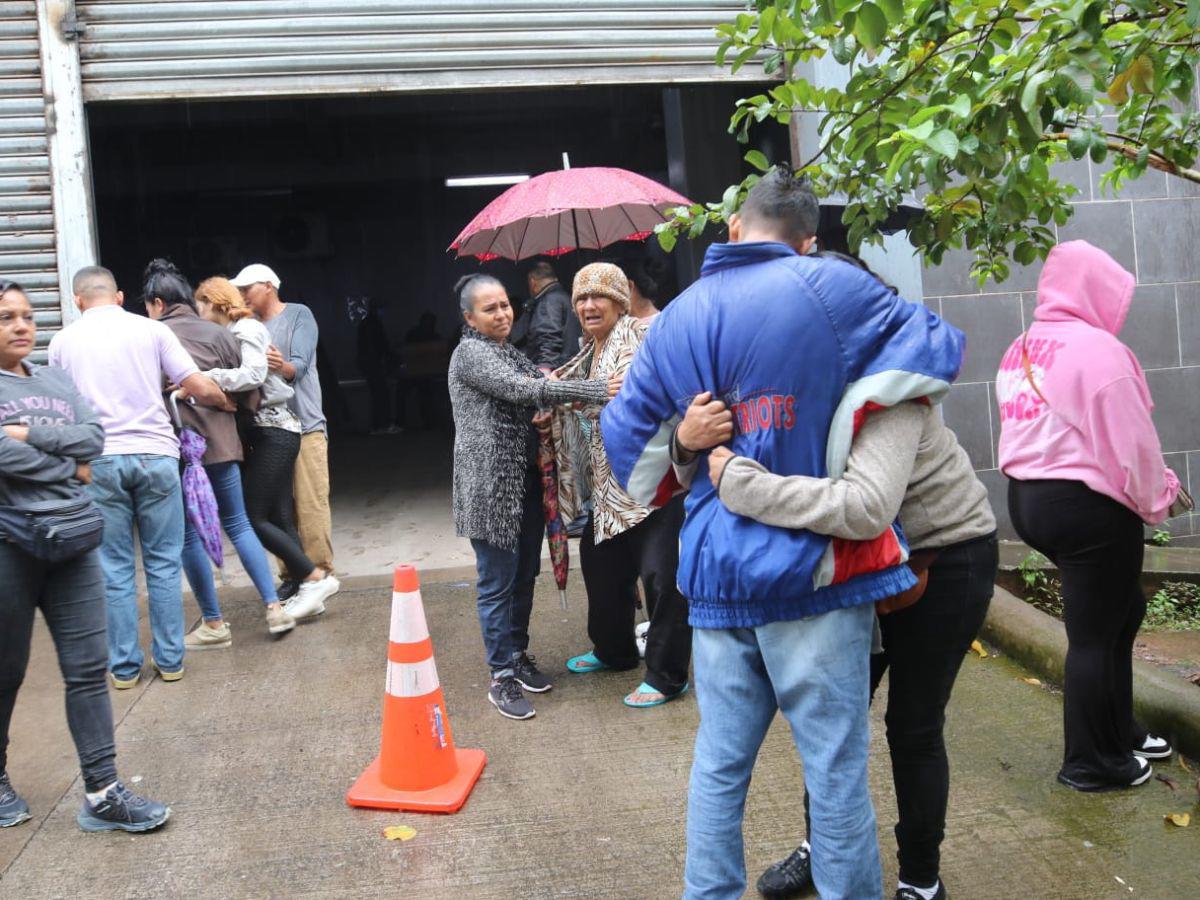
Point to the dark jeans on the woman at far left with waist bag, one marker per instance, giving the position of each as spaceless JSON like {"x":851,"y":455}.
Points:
{"x":71,"y":597}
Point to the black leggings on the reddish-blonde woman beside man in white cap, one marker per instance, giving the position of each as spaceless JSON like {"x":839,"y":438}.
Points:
{"x":271,"y":464}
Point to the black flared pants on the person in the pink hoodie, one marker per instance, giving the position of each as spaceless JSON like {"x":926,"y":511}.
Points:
{"x":1097,"y":545}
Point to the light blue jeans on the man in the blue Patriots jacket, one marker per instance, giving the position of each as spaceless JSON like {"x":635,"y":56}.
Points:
{"x":817,"y":671}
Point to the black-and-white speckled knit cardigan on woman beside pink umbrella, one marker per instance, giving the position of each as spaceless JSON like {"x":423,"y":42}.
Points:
{"x":495,"y":392}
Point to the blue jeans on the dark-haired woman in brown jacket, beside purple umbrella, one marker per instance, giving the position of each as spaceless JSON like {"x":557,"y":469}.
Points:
{"x":226,"y":482}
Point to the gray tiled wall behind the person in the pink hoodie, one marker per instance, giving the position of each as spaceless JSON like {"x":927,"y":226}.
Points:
{"x":1153,"y":227}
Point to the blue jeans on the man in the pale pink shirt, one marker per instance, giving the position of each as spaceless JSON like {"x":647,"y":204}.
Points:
{"x":142,"y":490}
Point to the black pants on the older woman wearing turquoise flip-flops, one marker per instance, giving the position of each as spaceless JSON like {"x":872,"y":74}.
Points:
{"x":611,"y":569}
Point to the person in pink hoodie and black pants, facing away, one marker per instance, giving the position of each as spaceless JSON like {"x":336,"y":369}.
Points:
{"x":1087,"y":471}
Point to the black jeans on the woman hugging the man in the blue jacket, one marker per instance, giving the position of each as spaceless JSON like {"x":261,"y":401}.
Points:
{"x":923,"y":650}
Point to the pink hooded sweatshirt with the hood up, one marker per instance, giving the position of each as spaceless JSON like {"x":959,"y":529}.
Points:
{"x":1094,"y":425}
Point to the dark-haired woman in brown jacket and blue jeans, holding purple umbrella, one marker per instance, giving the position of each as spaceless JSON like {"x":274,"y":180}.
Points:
{"x":169,"y":298}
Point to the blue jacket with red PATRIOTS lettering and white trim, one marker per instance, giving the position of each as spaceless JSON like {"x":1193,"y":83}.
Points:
{"x":800,"y":349}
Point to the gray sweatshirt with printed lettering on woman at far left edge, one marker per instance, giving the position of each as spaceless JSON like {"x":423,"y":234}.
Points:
{"x":64,"y":431}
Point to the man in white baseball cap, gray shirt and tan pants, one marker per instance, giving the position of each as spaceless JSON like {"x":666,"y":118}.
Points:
{"x":293,"y":356}
